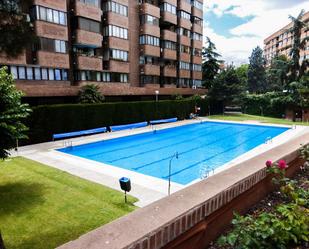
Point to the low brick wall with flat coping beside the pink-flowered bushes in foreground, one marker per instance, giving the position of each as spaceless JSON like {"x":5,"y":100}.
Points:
{"x":196,"y":215}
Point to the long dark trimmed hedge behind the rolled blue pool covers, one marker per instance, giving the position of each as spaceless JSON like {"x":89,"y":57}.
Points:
{"x":50,"y":119}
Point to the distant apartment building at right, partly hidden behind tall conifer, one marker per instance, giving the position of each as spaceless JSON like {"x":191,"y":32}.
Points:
{"x":280,"y":43}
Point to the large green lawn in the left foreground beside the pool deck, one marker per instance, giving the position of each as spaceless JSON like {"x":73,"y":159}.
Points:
{"x":42,"y":207}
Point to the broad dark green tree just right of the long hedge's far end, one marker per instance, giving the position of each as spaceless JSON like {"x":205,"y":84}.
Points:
{"x":227,"y":87}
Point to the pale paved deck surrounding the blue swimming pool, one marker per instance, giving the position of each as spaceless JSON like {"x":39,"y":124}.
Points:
{"x":146,"y":188}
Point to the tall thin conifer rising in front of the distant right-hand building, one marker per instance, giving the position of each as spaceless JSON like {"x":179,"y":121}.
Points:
{"x":298,"y":69}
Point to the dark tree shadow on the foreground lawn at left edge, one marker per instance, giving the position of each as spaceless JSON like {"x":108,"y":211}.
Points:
{"x":19,"y":197}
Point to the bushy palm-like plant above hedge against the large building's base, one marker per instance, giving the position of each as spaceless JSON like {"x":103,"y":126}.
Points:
{"x":90,"y":94}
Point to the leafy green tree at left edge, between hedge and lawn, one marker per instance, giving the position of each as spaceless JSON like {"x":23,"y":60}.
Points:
{"x":12,"y":114}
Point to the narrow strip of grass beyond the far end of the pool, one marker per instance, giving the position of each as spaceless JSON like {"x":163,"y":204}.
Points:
{"x":246,"y":117}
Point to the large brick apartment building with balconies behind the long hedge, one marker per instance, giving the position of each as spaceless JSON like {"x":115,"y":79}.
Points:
{"x":128,"y":47}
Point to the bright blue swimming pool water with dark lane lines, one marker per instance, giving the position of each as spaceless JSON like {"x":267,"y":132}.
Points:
{"x":208,"y":145}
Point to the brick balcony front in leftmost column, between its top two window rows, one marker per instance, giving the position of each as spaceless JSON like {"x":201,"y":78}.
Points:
{"x":50,"y":30}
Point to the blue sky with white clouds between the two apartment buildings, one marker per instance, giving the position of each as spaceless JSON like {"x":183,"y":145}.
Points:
{"x":238,"y":26}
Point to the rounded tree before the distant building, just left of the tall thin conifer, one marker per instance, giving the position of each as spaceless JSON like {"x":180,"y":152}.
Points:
{"x":277,"y":74}
